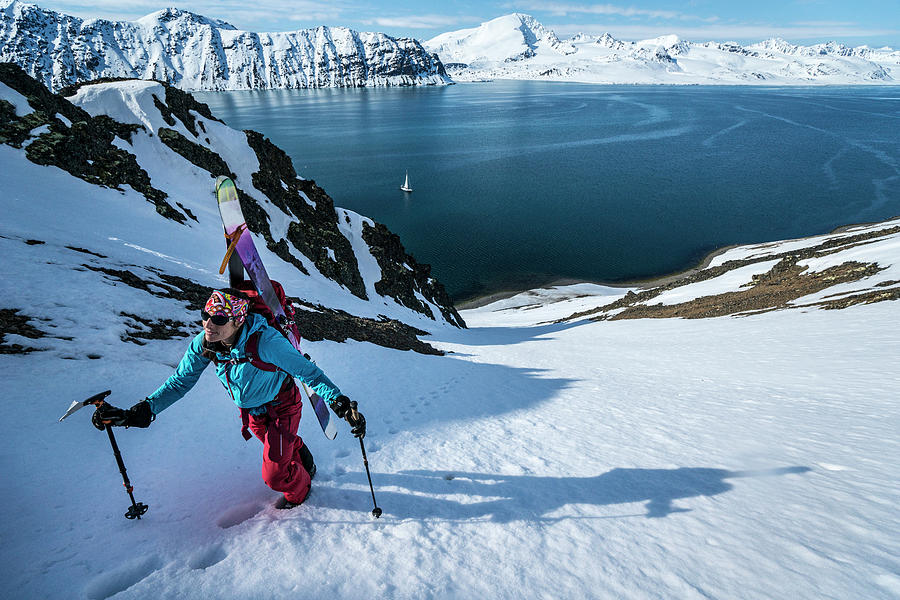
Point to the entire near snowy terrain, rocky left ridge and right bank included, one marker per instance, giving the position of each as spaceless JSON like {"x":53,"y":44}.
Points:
{"x":730,"y":434}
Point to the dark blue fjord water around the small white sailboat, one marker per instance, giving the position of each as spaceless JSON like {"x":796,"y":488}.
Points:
{"x":519,"y":184}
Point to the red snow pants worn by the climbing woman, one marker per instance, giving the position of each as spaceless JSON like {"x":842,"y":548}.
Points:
{"x":282,"y":468}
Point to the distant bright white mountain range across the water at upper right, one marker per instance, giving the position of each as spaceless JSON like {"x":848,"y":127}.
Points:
{"x":517,"y":46}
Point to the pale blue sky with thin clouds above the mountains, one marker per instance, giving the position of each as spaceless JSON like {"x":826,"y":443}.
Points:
{"x":872,"y":22}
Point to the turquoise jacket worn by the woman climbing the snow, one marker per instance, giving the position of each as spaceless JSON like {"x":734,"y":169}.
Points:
{"x":248,"y":386}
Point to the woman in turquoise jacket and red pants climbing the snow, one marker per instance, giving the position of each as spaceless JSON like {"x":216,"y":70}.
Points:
{"x":257,"y":366}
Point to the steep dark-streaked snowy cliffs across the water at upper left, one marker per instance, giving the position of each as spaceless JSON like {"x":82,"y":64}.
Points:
{"x":197,"y":53}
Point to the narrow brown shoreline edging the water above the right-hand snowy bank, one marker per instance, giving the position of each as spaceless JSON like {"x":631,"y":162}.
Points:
{"x":652,"y":282}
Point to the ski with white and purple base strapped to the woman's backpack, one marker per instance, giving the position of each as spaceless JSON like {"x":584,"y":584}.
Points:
{"x":240,"y":243}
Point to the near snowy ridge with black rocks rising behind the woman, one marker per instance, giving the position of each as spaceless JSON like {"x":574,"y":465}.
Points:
{"x":121,"y":173}
